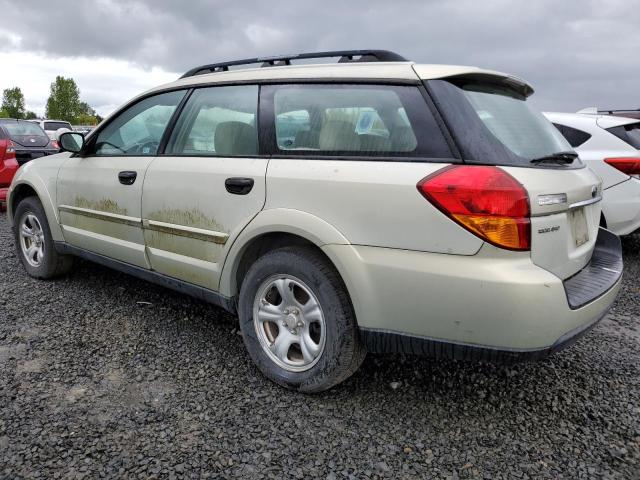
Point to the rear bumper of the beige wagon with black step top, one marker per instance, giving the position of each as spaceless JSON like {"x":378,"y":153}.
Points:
{"x":495,"y":305}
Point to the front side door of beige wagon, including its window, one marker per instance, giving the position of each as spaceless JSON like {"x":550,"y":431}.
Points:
{"x":99,"y":194}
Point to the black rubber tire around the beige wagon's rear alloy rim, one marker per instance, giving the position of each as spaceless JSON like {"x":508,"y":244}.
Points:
{"x":343,"y":352}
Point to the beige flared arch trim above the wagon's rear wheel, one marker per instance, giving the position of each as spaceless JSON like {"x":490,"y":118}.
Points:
{"x":276,"y":220}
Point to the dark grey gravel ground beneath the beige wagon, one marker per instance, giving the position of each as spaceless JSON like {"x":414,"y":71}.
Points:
{"x":104,"y":375}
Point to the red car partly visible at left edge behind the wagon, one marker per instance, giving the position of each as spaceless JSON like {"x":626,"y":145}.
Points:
{"x":20,"y":142}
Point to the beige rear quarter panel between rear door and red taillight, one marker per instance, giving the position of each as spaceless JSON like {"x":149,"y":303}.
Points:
{"x":372,"y":203}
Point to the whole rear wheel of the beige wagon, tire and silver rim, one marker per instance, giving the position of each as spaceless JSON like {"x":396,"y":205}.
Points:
{"x":297,"y":321}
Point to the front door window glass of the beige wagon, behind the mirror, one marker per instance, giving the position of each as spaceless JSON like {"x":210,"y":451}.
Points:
{"x":138,"y":130}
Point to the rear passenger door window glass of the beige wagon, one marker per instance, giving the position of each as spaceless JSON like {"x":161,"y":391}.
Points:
{"x":218,"y":121}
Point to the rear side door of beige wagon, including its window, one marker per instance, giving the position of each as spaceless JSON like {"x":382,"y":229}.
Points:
{"x":206,"y":187}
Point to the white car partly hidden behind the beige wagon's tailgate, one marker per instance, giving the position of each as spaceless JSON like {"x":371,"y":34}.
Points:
{"x":610,"y":146}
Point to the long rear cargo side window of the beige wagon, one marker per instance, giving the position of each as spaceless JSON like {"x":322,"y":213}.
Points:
{"x":354,"y":120}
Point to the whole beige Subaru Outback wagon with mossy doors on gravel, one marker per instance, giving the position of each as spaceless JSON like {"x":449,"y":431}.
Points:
{"x":370,"y":204}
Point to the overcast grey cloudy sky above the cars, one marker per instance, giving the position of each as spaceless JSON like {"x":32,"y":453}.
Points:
{"x":576,"y":53}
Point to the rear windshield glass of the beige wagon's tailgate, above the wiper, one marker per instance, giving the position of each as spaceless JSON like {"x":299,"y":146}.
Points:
{"x":509,"y":117}
